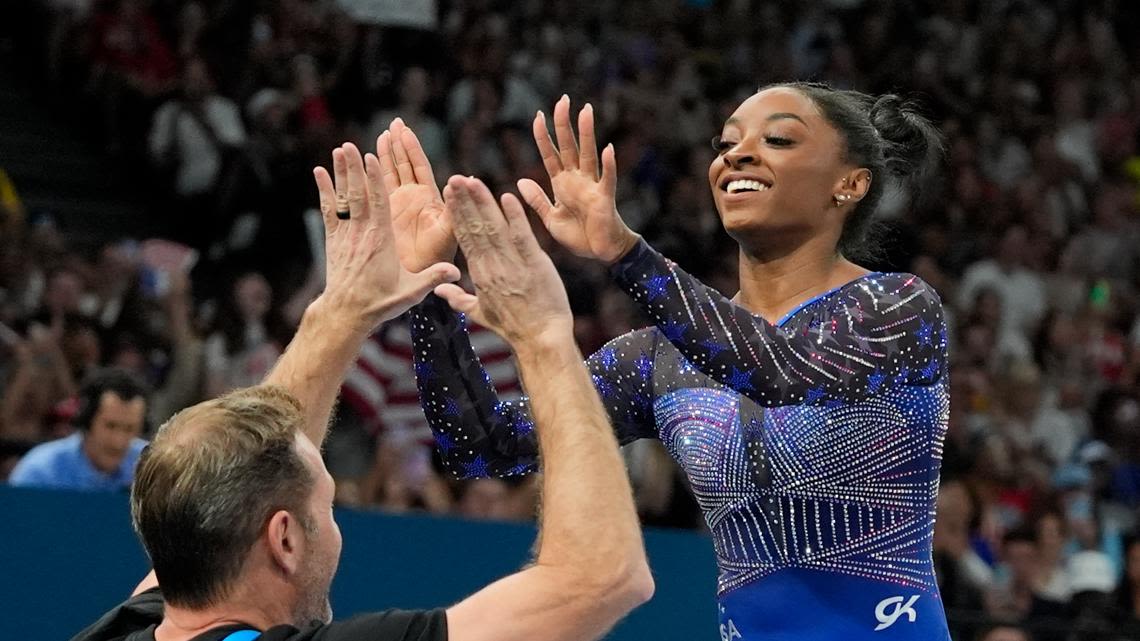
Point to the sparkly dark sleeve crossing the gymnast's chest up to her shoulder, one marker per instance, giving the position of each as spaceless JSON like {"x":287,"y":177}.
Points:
{"x":876,"y":332}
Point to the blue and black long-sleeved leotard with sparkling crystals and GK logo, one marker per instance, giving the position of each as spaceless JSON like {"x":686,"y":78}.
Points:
{"x":813,"y":445}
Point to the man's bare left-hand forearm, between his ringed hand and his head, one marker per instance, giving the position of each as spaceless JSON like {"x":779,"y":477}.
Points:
{"x":316,"y":362}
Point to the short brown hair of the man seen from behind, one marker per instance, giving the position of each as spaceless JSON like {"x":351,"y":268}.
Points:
{"x":209,"y":483}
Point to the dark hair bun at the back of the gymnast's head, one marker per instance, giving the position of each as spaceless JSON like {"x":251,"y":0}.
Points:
{"x":913,"y":145}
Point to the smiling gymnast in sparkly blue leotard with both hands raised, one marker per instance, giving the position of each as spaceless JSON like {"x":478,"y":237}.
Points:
{"x":809,"y":412}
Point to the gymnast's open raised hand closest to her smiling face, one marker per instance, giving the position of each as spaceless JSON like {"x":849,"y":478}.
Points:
{"x":584,"y":216}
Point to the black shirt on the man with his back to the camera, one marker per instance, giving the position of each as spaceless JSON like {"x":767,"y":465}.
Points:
{"x":136,"y":619}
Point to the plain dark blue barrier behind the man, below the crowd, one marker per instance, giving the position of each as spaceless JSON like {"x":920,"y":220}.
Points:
{"x":66,"y":558}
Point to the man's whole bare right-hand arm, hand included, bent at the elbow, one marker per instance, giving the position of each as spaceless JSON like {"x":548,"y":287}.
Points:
{"x":591,"y":567}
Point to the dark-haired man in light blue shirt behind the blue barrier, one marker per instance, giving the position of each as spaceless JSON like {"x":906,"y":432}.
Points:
{"x":103,"y":453}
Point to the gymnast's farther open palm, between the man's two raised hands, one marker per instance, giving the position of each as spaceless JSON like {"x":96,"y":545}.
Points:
{"x":420,"y":220}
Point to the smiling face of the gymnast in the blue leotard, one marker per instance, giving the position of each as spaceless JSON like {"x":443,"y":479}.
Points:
{"x":778,"y":169}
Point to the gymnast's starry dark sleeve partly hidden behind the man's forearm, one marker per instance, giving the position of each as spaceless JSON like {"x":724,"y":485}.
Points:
{"x":477,"y":434}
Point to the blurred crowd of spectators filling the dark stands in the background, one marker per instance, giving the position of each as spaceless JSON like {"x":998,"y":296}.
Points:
{"x":1032,"y":237}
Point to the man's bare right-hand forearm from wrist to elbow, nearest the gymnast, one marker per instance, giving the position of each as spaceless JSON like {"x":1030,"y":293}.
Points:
{"x":589,"y":522}
